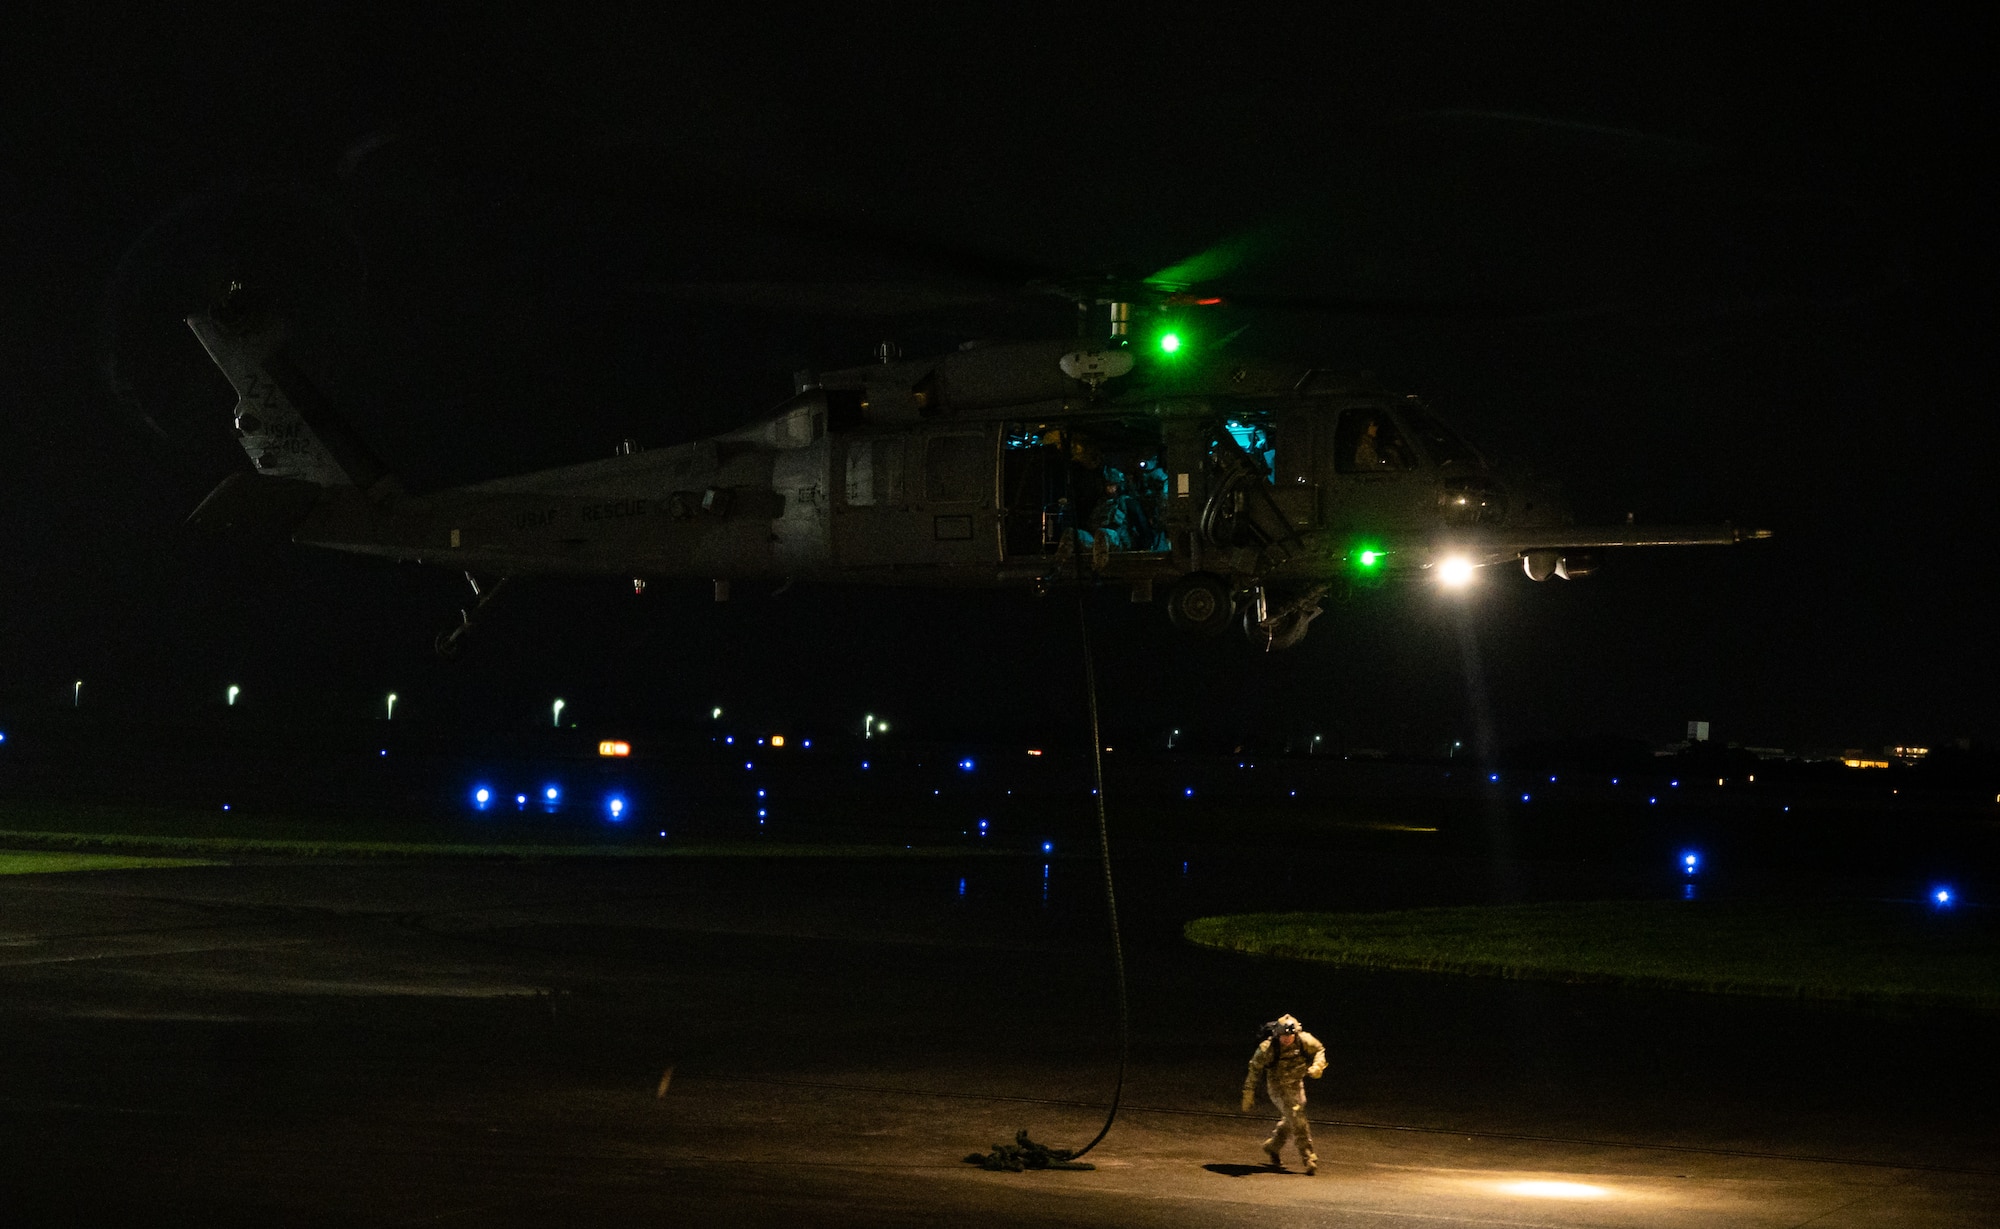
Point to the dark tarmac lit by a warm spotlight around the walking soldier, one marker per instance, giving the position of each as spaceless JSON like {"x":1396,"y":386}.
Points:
{"x":823,"y":1044}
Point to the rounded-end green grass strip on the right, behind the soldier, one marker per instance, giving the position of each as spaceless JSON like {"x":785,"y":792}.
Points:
{"x":1861,"y":952}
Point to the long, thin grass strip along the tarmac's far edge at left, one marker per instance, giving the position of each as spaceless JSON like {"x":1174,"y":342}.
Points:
{"x":419,"y":850}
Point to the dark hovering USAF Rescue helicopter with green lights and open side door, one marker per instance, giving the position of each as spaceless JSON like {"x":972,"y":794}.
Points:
{"x":1233,"y":491}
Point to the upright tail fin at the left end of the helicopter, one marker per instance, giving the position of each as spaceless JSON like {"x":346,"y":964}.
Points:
{"x":287,"y":427}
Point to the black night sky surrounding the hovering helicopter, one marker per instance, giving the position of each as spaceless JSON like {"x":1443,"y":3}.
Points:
{"x":1749,"y":259}
